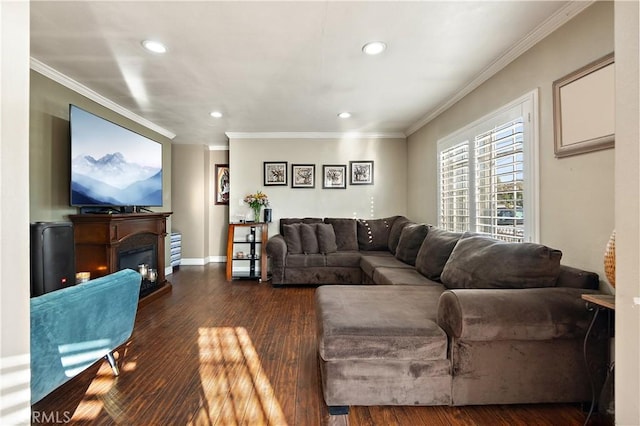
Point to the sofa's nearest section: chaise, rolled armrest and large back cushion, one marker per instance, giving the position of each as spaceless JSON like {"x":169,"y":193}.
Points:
{"x":504,"y":325}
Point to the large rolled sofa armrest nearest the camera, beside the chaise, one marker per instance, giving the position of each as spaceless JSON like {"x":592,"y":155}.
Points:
{"x":513,"y":314}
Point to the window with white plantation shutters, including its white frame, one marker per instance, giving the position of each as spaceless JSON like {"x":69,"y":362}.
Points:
{"x":486,"y":175}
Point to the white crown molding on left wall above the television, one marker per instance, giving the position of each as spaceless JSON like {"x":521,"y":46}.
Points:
{"x":83,"y":90}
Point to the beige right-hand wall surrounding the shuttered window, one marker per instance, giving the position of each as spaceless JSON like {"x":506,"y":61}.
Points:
{"x":576,"y":193}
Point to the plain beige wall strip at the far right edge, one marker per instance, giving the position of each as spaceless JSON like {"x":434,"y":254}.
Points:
{"x":627,"y":212}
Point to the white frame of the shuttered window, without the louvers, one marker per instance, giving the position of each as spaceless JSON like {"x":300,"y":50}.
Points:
{"x":526,"y":107}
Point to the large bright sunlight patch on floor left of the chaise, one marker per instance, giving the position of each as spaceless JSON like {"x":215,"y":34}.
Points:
{"x":235,"y":387}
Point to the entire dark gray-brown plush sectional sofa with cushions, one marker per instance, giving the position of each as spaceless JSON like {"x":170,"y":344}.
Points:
{"x":447,"y":318}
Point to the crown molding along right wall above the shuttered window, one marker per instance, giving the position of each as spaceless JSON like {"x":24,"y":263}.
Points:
{"x":555,"y":21}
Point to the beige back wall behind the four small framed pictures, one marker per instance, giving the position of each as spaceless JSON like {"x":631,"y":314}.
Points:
{"x":386,"y":197}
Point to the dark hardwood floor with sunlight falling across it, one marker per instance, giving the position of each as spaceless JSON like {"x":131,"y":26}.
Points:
{"x":212,"y":352}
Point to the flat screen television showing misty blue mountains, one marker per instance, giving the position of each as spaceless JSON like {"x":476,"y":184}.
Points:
{"x":112,"y":166}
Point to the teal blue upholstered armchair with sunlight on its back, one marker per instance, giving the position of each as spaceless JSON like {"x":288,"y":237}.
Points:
{"x":74,"y":327}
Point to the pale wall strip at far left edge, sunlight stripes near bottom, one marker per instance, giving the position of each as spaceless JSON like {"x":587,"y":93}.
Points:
{"x":14,"y":223}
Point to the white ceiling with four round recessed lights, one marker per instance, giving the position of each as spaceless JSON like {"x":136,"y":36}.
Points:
{"x":285,"y":66}
